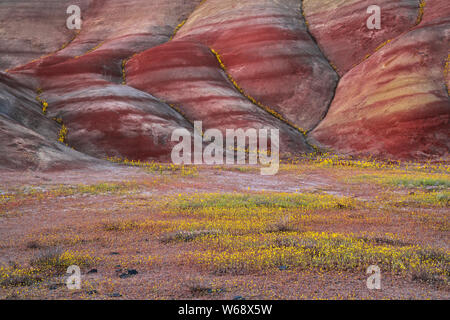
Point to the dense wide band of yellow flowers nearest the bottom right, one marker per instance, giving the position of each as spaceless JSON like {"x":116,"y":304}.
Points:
{"x":329,"y":251}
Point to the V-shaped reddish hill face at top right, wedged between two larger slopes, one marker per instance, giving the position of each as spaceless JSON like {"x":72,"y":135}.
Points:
{"x":339,"y":27}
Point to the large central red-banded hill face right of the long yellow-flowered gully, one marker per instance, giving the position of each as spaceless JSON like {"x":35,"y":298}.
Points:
{"x":267,"y":50}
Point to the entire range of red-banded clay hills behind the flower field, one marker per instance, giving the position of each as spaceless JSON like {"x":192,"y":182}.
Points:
{"x":126,"y":80}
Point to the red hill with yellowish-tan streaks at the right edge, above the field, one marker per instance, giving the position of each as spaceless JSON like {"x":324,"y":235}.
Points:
{"x":396,"y":103}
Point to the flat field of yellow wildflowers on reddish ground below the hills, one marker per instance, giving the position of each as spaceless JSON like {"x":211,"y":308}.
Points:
{"x":159,"y":231}
